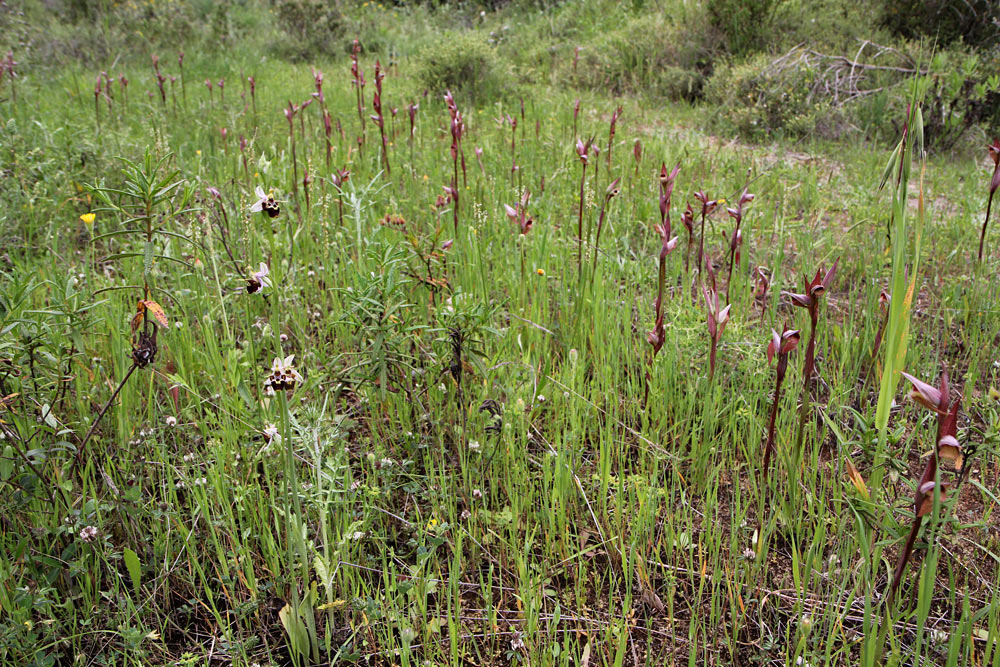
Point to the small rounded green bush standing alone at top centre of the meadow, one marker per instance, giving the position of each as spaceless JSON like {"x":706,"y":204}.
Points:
{"x":462,"y":61}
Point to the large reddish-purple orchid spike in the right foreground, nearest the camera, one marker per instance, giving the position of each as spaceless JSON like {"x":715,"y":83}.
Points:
{"x":937,"y":400}
